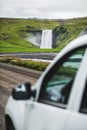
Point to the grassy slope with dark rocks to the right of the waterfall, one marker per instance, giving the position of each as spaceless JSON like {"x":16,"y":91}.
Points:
{"x":68,"y":31}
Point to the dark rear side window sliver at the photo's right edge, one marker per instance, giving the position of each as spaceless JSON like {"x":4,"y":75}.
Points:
{"x":83,"y":108}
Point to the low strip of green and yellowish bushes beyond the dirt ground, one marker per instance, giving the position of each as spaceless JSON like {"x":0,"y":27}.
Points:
{"x":40,"y":66}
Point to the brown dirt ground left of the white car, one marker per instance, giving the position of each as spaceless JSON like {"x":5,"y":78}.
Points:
{"x":8,"y":80}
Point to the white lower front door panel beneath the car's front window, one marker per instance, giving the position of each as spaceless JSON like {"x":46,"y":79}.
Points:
{"x":44,"y":117}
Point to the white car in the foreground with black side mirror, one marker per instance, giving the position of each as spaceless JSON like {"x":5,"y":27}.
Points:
{"x":58,"y":101}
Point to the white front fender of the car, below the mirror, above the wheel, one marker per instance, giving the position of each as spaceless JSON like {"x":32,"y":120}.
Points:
{"x":16,"y":111}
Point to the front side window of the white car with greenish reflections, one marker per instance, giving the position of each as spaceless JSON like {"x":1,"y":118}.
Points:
{"x":58,"y":82}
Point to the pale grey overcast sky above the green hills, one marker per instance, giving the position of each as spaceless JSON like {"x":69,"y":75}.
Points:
{"x":43,"y":8}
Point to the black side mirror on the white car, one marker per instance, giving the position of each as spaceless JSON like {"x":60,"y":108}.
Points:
{"x":23,"y":92}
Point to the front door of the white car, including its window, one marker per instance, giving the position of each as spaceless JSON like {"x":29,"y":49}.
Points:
{"x":50,"y":111}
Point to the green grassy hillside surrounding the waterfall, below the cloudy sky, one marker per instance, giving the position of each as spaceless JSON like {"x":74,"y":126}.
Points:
{"x":13,"y":32}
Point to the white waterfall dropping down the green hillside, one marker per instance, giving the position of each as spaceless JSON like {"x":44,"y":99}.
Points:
{"x":46,"y":40}
